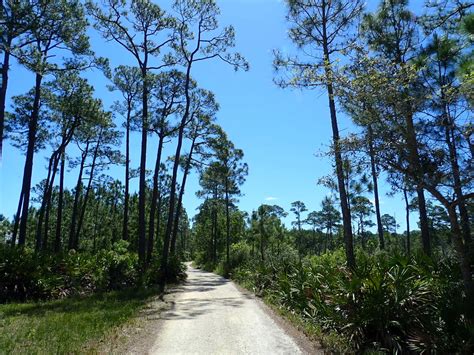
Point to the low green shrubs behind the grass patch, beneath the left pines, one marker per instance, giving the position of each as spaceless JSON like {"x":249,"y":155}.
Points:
{"x":26,"y":275}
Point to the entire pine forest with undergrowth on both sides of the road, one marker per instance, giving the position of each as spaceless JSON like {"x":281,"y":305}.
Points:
{"x":349,"y":273}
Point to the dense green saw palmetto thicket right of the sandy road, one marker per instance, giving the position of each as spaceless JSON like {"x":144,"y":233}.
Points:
{"x":390,"y":303}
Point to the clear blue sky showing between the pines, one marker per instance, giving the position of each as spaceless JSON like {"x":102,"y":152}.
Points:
{"x":280,"y":131}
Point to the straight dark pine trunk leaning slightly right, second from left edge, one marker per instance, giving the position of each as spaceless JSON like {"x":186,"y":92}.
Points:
{"x":28,"y":170}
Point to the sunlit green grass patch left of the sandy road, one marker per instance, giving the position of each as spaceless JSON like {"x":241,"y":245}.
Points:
{"x":69,"y":325}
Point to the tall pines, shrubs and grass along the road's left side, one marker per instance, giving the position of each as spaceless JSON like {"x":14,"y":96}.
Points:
{"x":84,"y":251}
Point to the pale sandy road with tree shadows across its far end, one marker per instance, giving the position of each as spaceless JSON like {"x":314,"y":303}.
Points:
{"x":211,"y":316}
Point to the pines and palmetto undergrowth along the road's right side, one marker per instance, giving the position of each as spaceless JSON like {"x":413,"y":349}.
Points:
{"x":346,"y":273}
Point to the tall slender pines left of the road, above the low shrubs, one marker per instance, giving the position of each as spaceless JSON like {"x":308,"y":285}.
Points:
{"x":62,"y":117}
